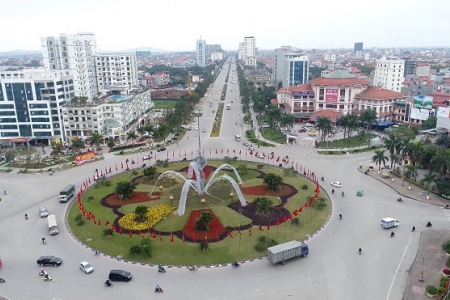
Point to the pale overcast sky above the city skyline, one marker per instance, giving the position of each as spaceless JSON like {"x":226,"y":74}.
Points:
{"x":176,"y":25}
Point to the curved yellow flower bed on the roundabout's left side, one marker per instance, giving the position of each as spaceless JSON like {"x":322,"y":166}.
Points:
{"x":154,"y":216}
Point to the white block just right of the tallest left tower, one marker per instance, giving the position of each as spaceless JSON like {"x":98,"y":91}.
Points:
{"x":115,"y":70}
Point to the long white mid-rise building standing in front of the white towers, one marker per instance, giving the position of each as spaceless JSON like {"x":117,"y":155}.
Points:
{"x":112,"y":117}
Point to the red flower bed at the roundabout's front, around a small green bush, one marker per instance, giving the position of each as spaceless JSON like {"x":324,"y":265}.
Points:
{"x":215,"y":228}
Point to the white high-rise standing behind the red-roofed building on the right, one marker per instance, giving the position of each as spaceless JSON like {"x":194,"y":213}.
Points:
{"x":389,"y":73}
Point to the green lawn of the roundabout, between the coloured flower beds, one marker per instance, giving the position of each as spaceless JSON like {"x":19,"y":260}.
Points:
{"x":179,"y":253}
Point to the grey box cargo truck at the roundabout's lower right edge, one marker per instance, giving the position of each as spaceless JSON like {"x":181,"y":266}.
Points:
{"x":286,"y":251}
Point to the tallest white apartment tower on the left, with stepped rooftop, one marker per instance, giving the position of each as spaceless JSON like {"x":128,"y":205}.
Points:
{"x":73,"y":53}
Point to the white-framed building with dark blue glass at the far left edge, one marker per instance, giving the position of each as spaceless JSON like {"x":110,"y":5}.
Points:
{"x":30,"y":104}
